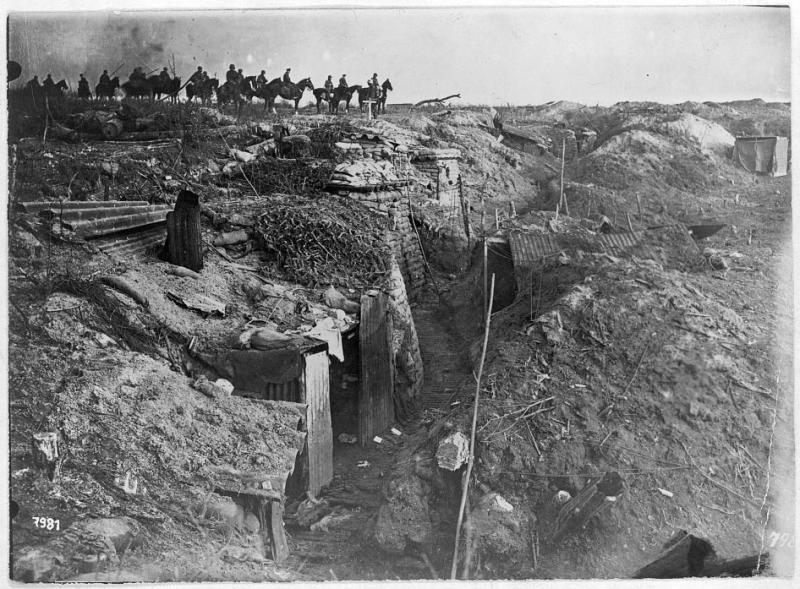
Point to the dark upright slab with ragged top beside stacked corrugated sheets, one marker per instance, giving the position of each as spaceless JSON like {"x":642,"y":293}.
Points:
{"x":184,"y":241}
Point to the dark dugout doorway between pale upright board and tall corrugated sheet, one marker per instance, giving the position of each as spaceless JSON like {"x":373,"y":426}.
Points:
{"x":345,"y":384}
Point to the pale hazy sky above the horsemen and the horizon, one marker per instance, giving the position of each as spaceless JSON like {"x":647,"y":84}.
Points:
{"x":493,"y":56}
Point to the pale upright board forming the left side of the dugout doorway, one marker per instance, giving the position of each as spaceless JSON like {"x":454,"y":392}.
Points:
{"x":315,"y":393}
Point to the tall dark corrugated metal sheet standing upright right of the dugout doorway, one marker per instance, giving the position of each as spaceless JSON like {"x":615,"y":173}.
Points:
{"x":376,"y":399}
